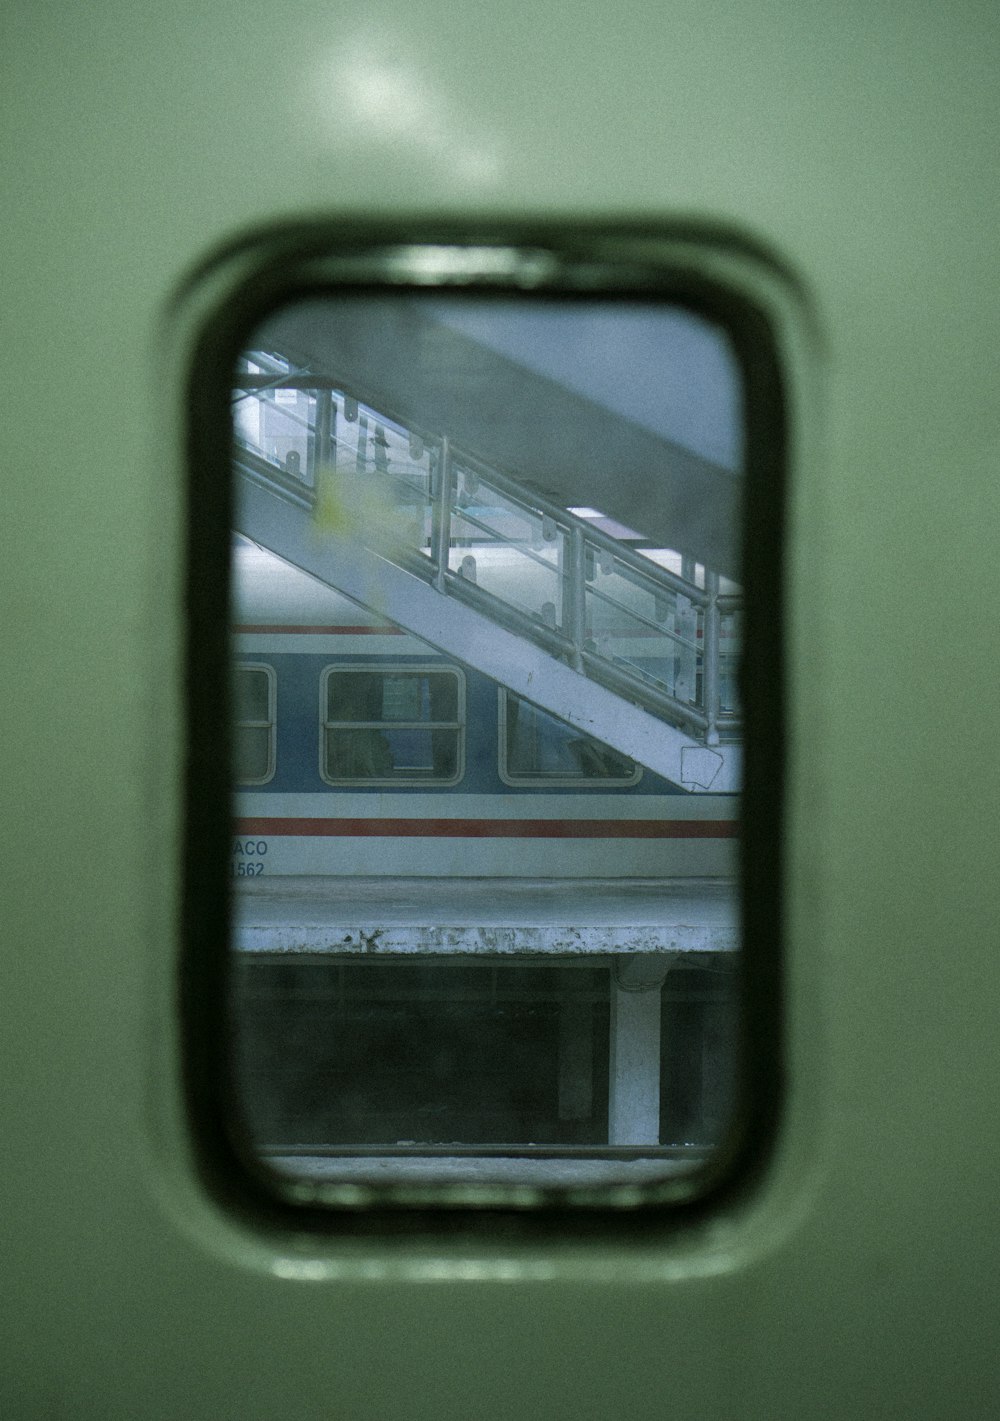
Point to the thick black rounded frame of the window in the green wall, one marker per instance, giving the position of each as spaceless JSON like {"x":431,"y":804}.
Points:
{"x":698,"y":265}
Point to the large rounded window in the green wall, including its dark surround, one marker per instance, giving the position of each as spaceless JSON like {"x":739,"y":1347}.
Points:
{"x":502,"y":522}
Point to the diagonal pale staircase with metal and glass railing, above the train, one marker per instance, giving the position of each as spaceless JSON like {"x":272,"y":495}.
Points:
{"x":553,"y":605}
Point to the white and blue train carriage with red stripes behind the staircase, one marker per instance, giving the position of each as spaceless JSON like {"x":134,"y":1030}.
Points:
{"x":481,"y":818}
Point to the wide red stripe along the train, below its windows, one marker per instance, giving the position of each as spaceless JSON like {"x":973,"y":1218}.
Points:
{"x":491,"y":828}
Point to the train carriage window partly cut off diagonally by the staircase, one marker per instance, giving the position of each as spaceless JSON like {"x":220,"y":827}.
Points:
{"x":539,"y":750}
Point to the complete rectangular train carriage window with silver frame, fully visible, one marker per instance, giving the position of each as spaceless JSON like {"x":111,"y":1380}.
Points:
{"x":393,"y":727}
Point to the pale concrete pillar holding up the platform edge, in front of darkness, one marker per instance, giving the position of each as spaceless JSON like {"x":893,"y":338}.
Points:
{"x":636,"y":1049}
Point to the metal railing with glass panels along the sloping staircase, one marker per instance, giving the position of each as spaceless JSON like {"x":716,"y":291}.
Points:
{"x":654,"y":636}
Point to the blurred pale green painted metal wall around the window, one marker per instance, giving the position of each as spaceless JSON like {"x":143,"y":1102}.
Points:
{"x":859,"y":141}
